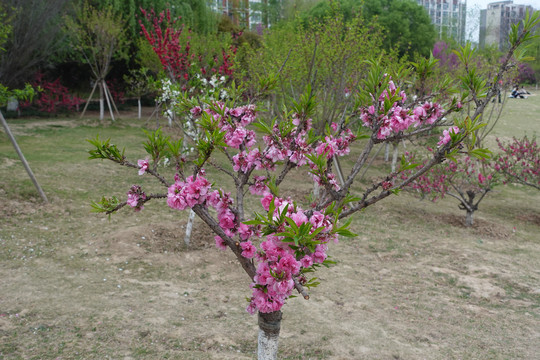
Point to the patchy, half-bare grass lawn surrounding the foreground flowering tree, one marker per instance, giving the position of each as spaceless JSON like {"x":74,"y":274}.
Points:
{"x":414,"y":284}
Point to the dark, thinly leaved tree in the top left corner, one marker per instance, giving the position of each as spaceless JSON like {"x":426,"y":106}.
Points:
{"x":35,"y":38}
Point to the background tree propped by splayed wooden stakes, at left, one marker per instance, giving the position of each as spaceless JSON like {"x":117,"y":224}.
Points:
{"x":98,"y":36}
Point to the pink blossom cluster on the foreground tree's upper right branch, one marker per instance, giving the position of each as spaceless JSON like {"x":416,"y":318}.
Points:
{"x":399,"y":118}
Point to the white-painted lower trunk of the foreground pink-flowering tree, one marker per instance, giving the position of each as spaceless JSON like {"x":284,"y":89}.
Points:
{"x":269,"y":326}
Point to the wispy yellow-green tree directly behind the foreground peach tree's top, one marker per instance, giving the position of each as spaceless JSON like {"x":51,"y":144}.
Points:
{"x":328,"y":55}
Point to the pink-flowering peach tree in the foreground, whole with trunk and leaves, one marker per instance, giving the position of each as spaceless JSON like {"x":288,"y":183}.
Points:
{"x":279,"y":241}
